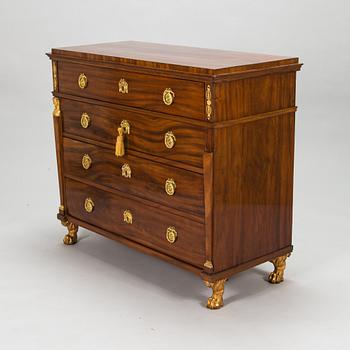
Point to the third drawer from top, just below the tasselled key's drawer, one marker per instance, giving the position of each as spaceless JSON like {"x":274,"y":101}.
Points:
{"x":134,"y":175}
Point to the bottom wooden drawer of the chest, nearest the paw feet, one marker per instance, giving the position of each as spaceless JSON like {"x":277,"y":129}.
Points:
{"x":144,"y":224}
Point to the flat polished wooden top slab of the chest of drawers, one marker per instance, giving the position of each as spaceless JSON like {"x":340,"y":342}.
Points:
{"x":171,"y":57}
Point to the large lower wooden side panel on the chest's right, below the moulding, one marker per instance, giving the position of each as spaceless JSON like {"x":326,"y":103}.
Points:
{"x":253,"y":189}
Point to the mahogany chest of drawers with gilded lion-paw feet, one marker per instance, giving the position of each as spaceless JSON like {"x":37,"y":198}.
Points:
{"x":182,"y":153}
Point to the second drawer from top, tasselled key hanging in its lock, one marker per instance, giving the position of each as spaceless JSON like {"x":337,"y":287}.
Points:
{"x":147,"y":133}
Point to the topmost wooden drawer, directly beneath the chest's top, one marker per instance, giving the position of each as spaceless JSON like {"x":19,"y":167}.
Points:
{"x":186,"y":98}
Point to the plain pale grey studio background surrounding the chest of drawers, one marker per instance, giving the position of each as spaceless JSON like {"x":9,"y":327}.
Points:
{"x":99,"y":294}
